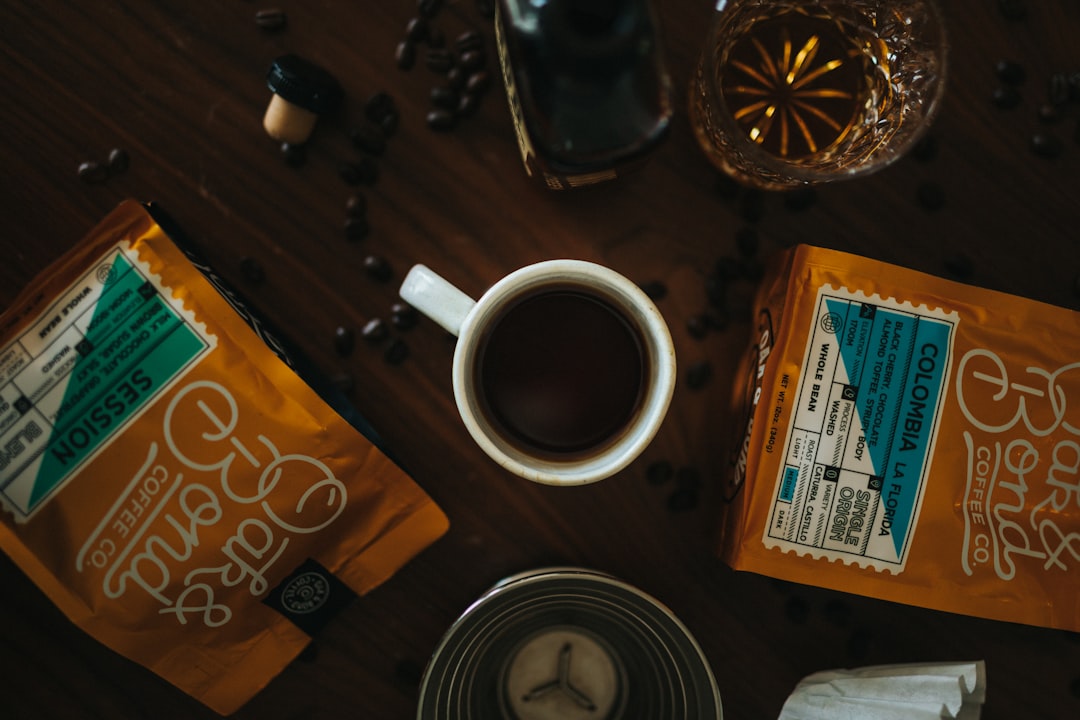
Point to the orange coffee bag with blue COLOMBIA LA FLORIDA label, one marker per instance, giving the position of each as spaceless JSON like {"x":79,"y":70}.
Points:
{"x":911,"y":439}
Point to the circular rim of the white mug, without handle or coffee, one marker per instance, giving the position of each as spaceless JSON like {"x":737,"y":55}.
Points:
{"x":659,"y":348}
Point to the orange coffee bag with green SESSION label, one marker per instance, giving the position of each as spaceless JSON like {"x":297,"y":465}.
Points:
{"x":171,"y":483}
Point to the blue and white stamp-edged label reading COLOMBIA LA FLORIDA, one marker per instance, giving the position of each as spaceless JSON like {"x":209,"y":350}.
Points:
{"x":859,"y":449}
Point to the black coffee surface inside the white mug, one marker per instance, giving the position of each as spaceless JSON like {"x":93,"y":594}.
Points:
{"x":561,"y":372}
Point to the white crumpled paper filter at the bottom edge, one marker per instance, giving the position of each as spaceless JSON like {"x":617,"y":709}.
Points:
{"x":892,"y":692}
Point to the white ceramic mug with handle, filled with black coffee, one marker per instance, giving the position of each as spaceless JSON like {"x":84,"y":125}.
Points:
{"x":519,"y":341}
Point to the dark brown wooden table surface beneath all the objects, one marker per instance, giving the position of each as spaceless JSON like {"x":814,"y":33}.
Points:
{"x":181,"y":88}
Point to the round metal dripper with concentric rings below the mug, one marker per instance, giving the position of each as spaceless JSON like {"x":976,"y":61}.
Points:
{"x":569,"y":644}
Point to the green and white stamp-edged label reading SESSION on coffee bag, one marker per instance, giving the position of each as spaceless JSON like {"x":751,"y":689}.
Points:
{"x":89,"y":365}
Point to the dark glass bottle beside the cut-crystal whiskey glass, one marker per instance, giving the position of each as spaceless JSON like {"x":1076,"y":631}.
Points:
{"x":588,"y":86}
